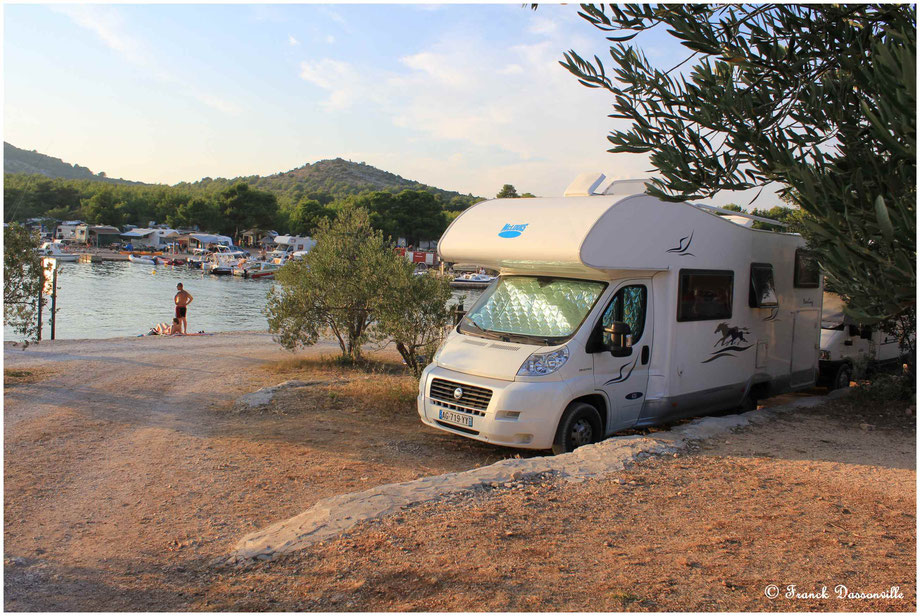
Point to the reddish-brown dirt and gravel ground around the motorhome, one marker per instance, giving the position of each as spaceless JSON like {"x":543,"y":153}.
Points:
{"x":128,"y":471}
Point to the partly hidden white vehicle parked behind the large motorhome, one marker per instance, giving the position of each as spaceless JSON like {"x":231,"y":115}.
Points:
{"x":849,"y":350}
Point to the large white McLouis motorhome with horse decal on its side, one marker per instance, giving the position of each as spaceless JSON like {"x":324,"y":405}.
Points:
{"x":618,"y":310}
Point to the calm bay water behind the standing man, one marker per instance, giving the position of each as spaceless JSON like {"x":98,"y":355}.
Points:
{"x":116,"y":298}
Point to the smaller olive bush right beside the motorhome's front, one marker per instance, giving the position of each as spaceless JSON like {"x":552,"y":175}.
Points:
{"x":415,"y":314}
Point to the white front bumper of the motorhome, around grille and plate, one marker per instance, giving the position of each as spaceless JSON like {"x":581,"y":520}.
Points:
{"x":519,"y":414}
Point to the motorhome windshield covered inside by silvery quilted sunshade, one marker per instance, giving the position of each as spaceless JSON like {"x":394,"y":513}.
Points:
{"x":536,"y":309}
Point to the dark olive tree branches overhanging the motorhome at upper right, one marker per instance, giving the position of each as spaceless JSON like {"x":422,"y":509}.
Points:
{"x":818,"y":98}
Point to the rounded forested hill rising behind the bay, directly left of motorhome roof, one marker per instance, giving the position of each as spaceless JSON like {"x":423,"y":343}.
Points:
{"x":336,"y":177}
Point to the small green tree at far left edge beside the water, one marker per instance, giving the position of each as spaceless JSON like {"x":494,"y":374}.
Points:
{"x":22,"y":280}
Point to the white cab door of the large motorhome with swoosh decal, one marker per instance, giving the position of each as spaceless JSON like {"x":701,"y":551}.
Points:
{"x":624,"y":377}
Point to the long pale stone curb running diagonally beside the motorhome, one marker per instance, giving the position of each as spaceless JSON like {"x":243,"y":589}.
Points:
{"x":335,"y":515}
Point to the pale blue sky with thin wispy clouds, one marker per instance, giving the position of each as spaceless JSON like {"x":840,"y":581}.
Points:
{"x":462,"y":97}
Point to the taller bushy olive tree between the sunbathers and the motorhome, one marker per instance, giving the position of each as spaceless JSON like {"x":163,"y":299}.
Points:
{"x":338,"y":287}
